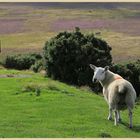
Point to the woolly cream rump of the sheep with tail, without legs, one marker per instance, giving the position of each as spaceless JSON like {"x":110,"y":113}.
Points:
{"x":120,"y":94}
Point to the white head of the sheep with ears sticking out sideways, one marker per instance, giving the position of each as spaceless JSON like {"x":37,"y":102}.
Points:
{"x":99,"y":73}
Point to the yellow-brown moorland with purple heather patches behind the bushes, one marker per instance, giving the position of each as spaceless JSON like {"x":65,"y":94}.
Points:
{"x":25,"y":27}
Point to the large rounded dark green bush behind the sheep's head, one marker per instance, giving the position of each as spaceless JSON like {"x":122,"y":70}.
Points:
{"x":69,"y":54}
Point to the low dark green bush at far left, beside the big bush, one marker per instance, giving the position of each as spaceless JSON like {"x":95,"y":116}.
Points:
{"x":21,"y":61}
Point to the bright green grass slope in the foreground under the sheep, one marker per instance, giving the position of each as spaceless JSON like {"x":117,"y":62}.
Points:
{"x":59,"y":111}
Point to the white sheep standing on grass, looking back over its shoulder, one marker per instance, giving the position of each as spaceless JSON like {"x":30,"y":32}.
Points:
{"x":118,"y":92}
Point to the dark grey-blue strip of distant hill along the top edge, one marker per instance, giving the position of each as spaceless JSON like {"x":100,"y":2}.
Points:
{"x":82,"y":5}
